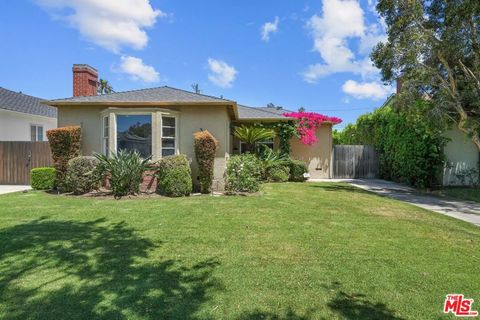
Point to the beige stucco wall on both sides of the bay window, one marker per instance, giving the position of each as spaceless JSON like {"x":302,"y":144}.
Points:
{"x":190,"y":119}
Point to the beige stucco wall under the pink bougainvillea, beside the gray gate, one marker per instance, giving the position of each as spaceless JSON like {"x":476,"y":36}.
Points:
{"x":317,"y":156}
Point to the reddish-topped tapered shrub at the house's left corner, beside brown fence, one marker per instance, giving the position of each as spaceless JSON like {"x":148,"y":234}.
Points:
{"x":64,"y":145}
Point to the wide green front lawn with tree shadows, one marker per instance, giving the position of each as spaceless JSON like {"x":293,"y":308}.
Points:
{"x":299,"y":251}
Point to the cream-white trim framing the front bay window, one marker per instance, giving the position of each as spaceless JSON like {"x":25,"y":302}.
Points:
{"x":156,"y":114}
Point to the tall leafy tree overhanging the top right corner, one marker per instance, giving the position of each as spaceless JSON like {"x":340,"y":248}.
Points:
{"x":434,"y":48}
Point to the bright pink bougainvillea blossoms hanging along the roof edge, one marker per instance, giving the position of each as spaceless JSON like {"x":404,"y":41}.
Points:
{"x":308,"y":122}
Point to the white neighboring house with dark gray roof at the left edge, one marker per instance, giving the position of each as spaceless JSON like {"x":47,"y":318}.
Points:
{"x":24,"y":118}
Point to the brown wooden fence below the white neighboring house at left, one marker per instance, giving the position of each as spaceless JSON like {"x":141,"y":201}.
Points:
{"x":17,"y":158}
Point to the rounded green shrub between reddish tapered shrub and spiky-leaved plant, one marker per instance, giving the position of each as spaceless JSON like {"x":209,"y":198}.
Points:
{"x":81,"y":176}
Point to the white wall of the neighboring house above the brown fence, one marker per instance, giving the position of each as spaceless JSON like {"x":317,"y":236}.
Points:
{"x":15,"y":126}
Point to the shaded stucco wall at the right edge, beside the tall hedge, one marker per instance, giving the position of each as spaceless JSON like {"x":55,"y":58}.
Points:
{"x":461,"y":154}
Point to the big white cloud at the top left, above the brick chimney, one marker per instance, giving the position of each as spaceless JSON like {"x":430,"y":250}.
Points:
{"x":111,"y":24}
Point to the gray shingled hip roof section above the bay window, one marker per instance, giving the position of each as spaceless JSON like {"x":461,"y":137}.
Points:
{"x":160,"y":94}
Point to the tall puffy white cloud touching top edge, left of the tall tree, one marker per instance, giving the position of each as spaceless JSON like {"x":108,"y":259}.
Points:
{"x":342,"y":20}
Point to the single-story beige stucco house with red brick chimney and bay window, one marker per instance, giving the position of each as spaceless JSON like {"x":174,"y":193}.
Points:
{"x":161,"y":122}
